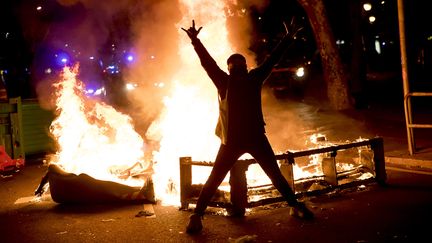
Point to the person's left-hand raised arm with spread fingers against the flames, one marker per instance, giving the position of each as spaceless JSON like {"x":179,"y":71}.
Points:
{"x":209,"y":64}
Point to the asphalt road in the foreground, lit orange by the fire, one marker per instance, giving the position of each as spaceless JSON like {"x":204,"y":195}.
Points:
{"x":398,"y":212}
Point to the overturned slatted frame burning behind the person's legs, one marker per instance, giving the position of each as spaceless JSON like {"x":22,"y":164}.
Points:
{"x":366,"y":165}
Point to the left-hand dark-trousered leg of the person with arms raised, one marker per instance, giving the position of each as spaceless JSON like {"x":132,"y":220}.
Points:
{"x":224,"y":161}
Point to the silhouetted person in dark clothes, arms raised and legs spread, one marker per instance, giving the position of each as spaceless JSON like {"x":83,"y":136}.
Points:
{"x":241,"y":124}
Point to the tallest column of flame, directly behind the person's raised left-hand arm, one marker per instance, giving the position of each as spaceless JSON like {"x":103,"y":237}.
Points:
{"x":186,"y":126}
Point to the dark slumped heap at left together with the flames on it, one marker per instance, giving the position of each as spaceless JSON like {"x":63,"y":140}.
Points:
{"x":100,"y":156}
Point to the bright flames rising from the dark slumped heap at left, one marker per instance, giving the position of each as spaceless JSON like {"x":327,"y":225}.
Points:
{"x":92,"y":137}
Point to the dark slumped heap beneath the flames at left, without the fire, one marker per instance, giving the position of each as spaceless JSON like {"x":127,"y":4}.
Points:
{"x":67,"y":187}
